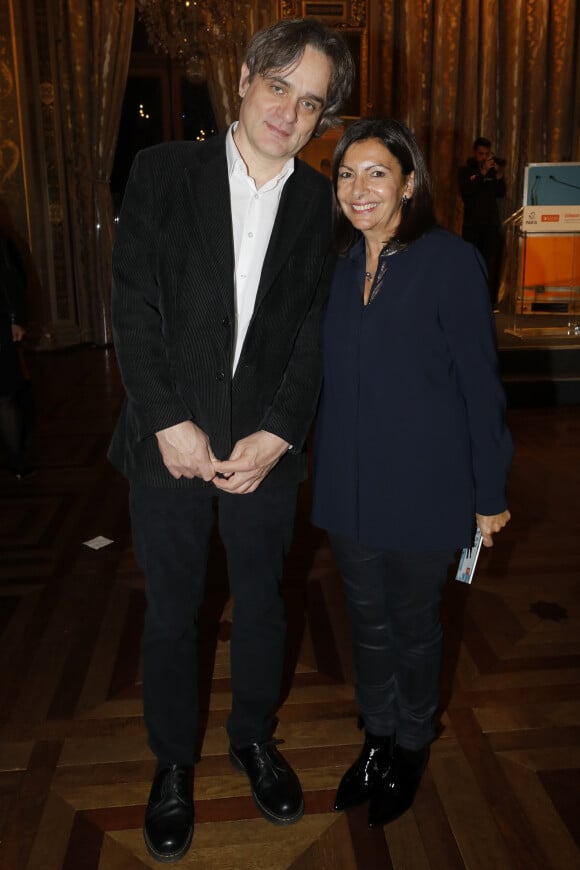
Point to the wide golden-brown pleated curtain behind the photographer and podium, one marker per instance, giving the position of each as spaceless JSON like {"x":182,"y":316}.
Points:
{"x":457,"y":69}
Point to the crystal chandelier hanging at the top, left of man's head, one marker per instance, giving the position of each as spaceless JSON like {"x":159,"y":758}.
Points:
{"x":188,"y":30}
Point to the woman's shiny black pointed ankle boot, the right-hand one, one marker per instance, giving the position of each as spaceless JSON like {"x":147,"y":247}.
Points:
{"x":397,"y":793}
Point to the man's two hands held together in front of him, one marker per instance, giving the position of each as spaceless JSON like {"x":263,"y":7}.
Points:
{"x":186,"y":452}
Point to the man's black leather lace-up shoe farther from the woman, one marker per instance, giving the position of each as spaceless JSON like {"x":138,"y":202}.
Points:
{"x":169,"y":815}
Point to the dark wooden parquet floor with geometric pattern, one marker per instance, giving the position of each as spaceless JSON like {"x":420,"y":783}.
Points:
{"x":502,"y":789}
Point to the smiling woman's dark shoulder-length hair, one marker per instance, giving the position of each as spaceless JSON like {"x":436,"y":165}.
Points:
{"x":418,"y":213}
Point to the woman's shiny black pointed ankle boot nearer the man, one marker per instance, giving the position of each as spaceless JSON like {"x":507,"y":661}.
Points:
{"x":368,"y":771}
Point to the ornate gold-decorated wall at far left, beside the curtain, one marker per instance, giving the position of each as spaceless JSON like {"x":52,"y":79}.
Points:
{"x":32,"y":178}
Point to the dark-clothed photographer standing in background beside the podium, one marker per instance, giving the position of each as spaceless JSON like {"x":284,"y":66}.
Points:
{"x":482,"y":183}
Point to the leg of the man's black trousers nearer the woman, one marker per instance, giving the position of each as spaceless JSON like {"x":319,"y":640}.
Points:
{"x":256,"y":530}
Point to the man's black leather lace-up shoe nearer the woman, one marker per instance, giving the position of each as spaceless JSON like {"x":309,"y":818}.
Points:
{"x":275,"y":787}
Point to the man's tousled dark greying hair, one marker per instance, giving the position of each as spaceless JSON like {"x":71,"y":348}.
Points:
{"x":281,"y":45}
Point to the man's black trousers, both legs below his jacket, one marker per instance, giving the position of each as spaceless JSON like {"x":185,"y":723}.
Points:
{"x":171,"y":535}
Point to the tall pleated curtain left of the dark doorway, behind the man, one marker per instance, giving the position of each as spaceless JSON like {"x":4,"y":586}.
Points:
{"x":93,"y":53}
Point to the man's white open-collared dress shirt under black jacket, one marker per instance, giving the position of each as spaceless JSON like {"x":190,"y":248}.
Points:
{"x":253,"y":214}
